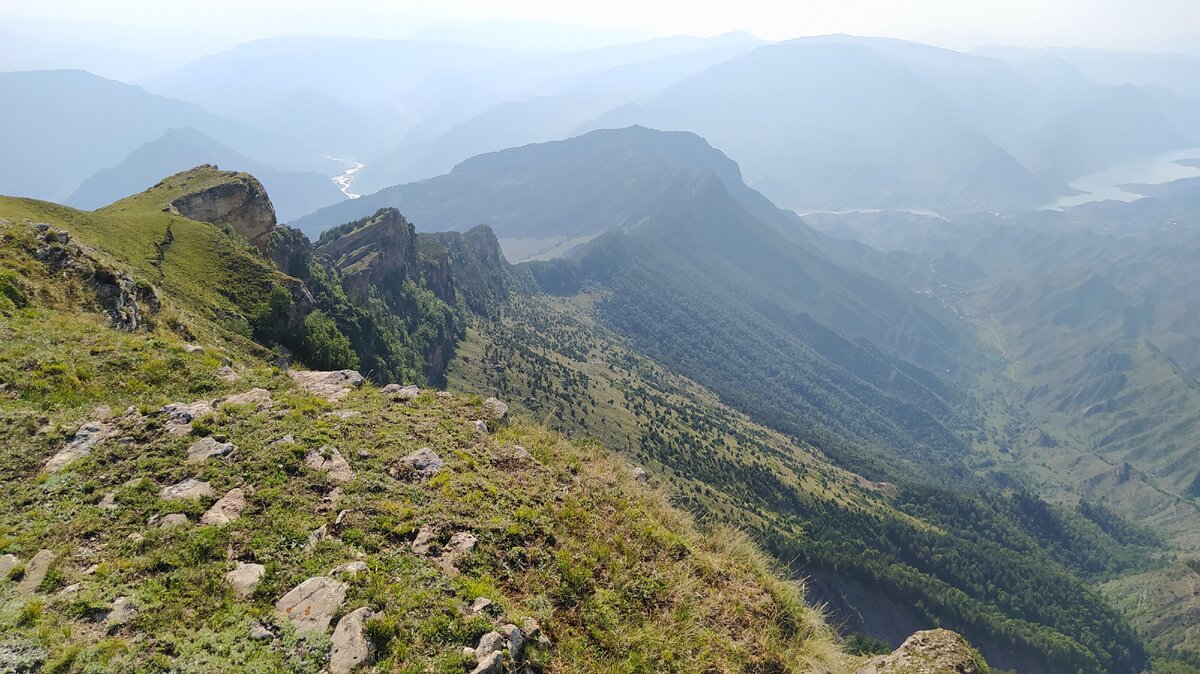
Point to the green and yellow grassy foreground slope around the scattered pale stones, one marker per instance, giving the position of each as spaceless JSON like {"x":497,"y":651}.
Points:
{"x":619,"y":580}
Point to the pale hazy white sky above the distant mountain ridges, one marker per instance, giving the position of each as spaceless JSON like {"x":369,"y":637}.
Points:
{"x":1130,"y":25}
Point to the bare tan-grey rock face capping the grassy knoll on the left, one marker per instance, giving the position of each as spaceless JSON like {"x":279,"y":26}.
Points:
{"x":239,"y":202}
